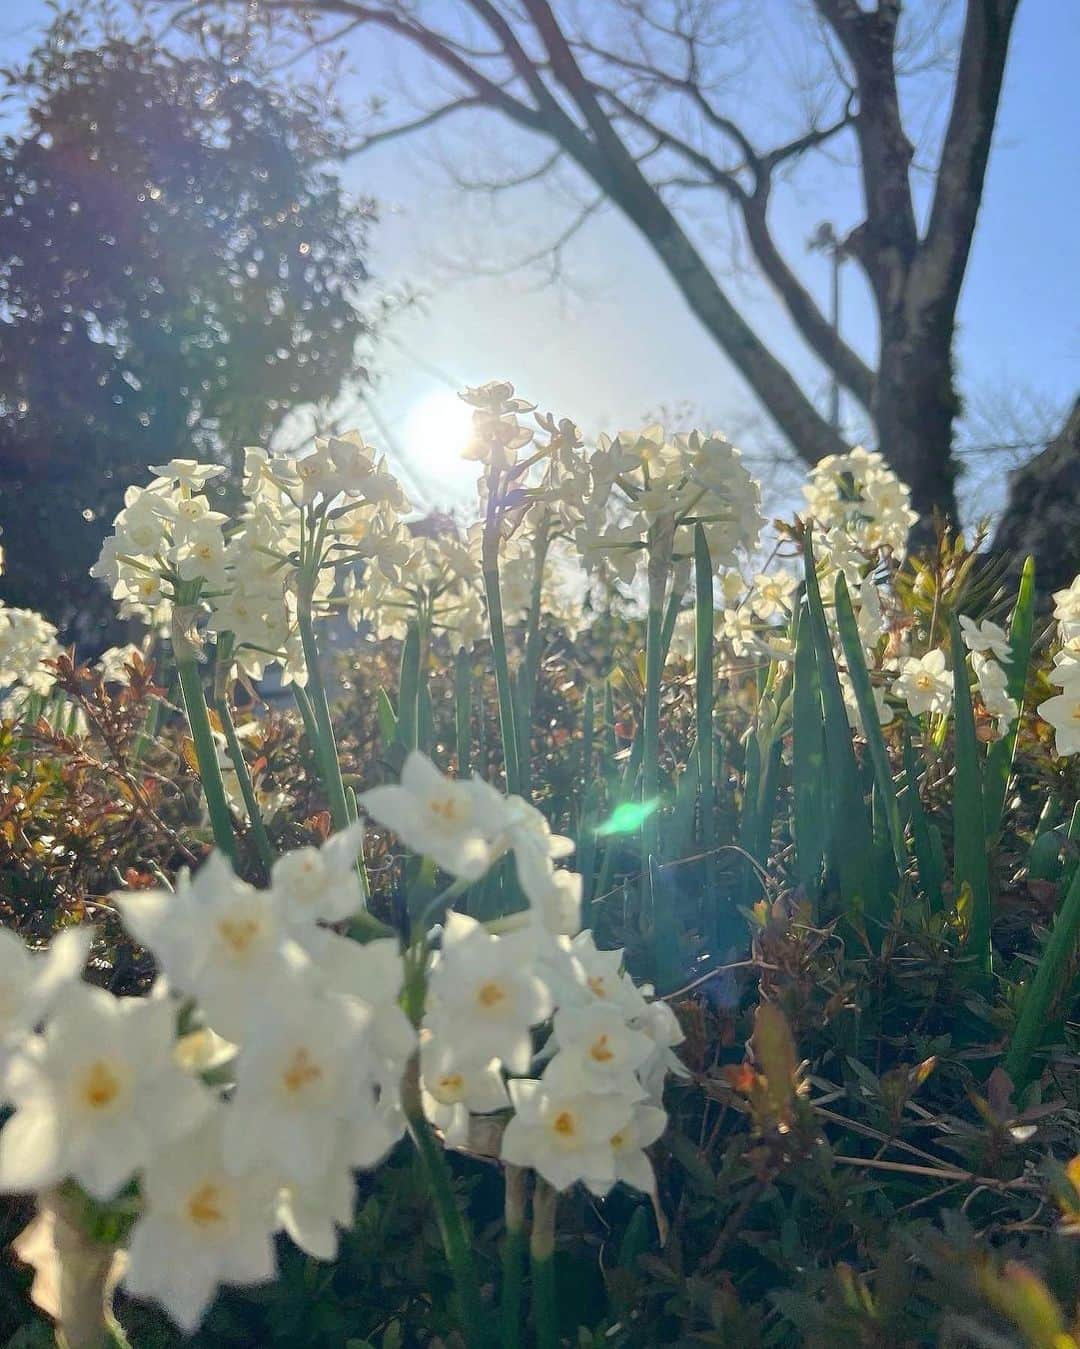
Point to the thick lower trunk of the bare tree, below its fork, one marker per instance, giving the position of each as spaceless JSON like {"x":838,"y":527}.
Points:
{"x":915,"y":411}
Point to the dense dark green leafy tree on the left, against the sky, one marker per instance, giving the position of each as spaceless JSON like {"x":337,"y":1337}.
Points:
{"x":177,"y":272}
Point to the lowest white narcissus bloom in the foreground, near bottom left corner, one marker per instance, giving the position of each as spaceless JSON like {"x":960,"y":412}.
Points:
{"x":200,"y":1227}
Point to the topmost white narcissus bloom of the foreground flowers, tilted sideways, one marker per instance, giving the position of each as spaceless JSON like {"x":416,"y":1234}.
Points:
{"x":451,"y":822}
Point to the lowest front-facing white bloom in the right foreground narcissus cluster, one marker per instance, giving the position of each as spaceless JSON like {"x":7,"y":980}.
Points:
{"x":564,"y":1134}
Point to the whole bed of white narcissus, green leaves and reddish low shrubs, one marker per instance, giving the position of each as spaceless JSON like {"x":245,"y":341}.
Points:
{"x":657,"y":927}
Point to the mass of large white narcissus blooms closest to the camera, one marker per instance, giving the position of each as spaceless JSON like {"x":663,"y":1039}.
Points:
{"x":272,"y":1060}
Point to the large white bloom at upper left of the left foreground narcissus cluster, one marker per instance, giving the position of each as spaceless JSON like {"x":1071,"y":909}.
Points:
{"x":218,"y":940}
